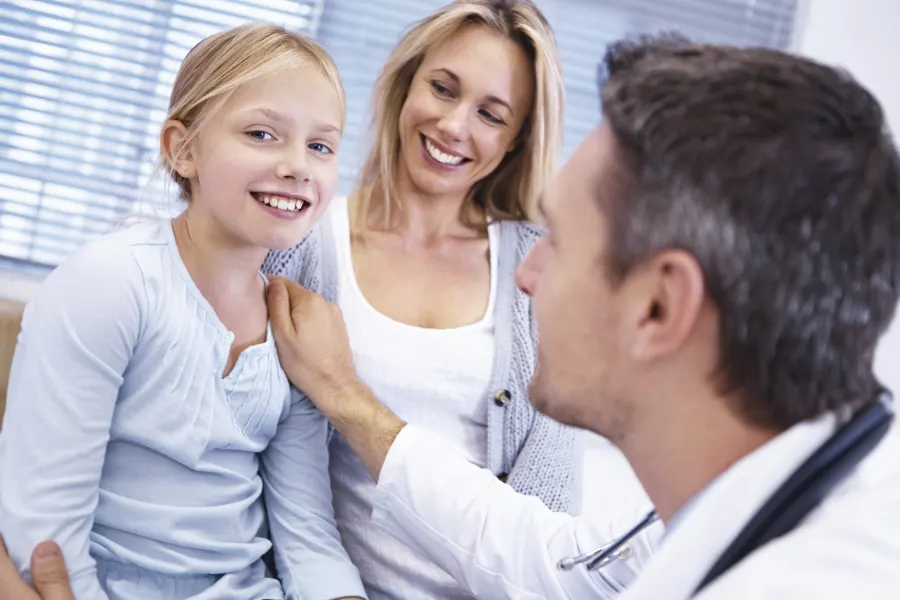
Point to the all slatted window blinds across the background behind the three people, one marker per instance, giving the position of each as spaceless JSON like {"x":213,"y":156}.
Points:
{"x":84,"y":85}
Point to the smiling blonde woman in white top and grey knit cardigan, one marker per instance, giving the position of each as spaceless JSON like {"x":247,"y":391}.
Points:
{"x":421,"y":257}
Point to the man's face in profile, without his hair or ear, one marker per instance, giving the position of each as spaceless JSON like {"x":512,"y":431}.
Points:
{"x":576,"y":308}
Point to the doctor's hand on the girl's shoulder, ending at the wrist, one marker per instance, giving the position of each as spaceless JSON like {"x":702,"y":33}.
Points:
{"x":312,"y":341}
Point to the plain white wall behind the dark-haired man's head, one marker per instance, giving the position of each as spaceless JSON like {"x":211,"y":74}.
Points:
{"x":862,"y":36}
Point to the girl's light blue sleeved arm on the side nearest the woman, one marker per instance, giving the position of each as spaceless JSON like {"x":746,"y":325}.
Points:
{"x":311,"y":561}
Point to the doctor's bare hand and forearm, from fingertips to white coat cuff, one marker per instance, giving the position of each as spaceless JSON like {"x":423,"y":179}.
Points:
{"x":315,"y":353}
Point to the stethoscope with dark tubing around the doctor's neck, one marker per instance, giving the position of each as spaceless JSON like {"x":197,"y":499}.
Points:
{"x":799,"y":495}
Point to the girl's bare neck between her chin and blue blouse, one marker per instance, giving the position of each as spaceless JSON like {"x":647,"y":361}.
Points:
{"x":220,"y":267}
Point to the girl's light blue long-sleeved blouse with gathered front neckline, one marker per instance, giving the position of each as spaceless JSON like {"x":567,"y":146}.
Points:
{"x":123,"y":442}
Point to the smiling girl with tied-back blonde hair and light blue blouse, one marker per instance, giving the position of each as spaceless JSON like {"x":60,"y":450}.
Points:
{"x":146,"y":382}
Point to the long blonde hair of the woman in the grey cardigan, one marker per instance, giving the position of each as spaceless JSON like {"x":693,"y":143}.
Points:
{"x":510,"y":191}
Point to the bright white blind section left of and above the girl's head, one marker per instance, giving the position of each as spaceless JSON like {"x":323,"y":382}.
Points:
{"x":84,"y":86}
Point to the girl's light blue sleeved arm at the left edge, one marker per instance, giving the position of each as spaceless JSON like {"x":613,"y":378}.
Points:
{"x":76,"y":341}
